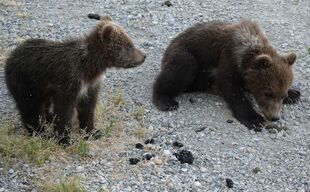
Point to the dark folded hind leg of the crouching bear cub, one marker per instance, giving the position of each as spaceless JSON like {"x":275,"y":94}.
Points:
{"x":174,"y":79}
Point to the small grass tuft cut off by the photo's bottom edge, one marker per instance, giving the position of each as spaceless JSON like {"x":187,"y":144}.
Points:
{"x":70,"y":185}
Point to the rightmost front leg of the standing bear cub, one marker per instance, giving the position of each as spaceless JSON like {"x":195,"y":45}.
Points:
{"x":86,"y":113}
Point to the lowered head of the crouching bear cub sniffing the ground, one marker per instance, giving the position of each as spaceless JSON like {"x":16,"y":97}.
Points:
{"x":268,"y":77}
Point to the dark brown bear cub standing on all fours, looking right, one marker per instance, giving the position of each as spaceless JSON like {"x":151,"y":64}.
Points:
{"x":65,"y":75}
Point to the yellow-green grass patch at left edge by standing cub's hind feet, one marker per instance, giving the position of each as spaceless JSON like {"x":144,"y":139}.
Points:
{"x":14,"y":145}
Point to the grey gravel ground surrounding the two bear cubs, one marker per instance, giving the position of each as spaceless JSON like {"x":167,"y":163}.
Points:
{"x":277,"y":161}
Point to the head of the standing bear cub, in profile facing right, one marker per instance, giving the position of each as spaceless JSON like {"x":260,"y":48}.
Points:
{"x":115,"y":44}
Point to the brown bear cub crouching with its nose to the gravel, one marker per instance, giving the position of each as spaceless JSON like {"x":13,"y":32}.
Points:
{"x":237,"y":59}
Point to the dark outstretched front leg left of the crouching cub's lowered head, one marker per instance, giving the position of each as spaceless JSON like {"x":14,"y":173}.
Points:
{"x":231,"y":88}
